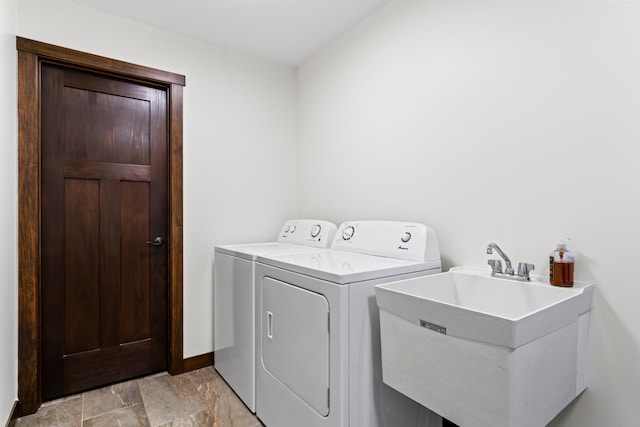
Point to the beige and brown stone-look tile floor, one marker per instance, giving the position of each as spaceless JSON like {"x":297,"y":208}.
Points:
{"x":197,"y":398}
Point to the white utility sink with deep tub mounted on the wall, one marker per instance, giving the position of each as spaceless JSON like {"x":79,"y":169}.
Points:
{"x":485,"y":351}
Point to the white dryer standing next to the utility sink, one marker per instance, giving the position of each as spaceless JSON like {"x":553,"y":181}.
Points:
{"x":318,"y":335}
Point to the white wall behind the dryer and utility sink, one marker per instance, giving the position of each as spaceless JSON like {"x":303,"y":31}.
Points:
{"x":507,"y":121}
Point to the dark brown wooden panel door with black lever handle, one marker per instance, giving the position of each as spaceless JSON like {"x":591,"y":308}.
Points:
{"x":104,"y":196}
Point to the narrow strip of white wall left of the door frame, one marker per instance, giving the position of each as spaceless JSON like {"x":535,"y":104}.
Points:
{"x":8,"y":222}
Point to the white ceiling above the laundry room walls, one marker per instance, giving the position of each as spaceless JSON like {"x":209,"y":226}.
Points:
{"x":286,"y":31}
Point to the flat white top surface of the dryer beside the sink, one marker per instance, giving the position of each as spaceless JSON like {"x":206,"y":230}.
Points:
{"x":345,"y":267}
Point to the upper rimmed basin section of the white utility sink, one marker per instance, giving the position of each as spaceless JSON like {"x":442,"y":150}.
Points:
{"x":472,"y":304}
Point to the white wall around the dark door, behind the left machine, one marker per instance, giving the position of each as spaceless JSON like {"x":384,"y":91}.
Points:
{"x":239,"y":121}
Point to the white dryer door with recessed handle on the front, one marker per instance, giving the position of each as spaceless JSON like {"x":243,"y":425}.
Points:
{"x":295,"y":341}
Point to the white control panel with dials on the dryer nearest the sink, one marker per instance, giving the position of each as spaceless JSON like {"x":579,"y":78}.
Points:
{"x":403,"y":240}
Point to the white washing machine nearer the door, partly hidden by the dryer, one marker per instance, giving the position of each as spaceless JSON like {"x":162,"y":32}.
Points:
{"x":234,"y":301}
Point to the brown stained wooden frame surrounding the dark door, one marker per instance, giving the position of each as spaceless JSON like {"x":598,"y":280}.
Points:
{"x":30,"y":56}
